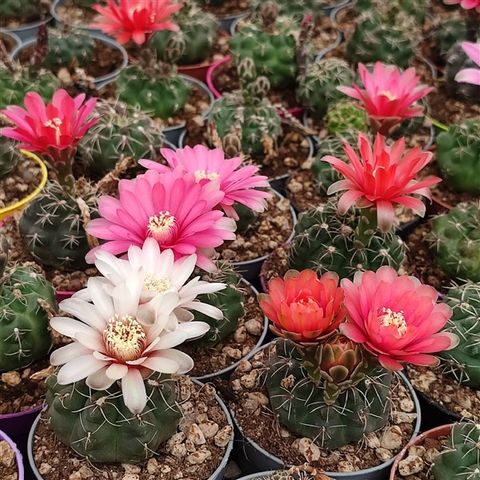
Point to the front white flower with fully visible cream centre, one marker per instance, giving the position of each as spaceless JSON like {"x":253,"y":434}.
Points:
{"x":118,"y":338}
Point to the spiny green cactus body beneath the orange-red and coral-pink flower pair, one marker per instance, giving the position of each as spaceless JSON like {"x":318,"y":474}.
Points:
{"x":301,"y":406}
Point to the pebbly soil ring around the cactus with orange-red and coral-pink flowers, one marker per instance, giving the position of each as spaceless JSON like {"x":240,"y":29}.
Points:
{"x":254,"y":415}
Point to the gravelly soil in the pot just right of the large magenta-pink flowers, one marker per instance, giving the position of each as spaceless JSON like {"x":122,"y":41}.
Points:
{"x":272,"y":228}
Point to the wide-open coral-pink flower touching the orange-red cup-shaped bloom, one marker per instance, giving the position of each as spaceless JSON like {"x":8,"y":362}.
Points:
{"x":396,"y":318}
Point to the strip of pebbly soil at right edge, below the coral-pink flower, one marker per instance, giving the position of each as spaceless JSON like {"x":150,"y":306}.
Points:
{"x":445,"y":391}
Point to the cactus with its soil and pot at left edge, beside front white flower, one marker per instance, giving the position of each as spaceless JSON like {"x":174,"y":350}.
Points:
{"x":27,"y":301}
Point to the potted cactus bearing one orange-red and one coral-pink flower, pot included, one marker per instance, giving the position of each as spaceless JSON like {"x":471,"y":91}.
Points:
{"x":325,"y":397}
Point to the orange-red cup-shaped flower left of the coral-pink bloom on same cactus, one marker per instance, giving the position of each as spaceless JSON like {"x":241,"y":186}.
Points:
{"x":304,"y":307}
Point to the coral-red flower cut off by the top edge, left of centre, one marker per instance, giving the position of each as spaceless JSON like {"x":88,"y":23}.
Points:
{"x":135,"y":19}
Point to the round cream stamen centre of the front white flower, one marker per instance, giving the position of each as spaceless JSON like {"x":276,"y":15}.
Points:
{"x":125,"y":339}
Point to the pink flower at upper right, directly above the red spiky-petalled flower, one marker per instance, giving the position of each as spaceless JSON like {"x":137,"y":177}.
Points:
{"x":389,"y":94}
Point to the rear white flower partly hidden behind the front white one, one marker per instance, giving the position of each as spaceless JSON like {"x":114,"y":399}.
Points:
{"x":159,"y":273}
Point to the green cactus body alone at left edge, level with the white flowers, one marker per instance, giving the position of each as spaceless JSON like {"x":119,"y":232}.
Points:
{"x":25,"y":300}
